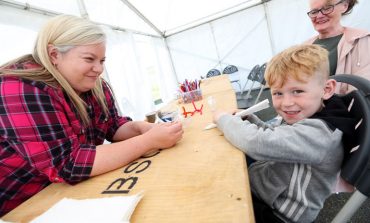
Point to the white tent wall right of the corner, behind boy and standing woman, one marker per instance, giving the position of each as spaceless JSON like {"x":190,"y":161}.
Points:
{"x":249,"y":37}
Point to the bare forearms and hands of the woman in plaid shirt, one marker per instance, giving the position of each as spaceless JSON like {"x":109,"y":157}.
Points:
{"x":157,"y":136}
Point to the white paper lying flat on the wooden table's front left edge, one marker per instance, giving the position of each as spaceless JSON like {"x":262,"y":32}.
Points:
{"x":111,"y":209}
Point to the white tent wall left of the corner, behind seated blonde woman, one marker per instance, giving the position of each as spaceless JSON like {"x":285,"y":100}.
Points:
{"x":137,"y":66}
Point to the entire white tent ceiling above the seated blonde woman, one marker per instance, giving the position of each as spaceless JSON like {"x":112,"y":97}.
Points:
{"x":159,"y":17}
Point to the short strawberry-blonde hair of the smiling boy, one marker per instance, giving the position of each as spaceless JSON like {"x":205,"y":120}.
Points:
{"x":297,"y":62}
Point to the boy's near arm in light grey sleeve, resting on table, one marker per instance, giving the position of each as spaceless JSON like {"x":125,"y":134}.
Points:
{"x":305,"y":142}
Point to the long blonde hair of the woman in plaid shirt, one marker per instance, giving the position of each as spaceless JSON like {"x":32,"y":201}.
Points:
{"x":64,"y":32}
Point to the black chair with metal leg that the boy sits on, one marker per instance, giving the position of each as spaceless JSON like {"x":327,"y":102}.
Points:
{"x":356,"y":165}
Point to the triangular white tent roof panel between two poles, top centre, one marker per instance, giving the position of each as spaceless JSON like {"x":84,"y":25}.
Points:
{"x":172,"y":16}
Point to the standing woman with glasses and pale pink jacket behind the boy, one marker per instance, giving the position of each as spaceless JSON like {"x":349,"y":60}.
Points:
{"x":348,"y":47}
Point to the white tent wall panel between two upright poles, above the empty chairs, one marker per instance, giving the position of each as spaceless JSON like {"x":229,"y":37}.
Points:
{"x":231,"y":40}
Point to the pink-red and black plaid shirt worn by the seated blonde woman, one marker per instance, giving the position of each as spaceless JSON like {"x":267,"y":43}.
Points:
{"x":43,"y":141}
